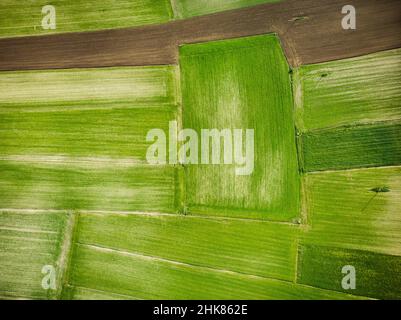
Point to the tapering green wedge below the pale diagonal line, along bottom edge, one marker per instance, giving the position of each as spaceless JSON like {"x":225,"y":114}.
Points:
{"x":113,"y":272}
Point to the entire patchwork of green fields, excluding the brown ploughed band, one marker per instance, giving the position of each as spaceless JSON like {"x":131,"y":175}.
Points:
{"x":230,"y":175}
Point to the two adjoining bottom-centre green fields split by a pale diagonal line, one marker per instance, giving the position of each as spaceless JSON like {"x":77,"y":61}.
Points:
{"x":151,"y":260}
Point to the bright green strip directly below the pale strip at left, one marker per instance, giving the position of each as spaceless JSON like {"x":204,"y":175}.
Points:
{"x":104,"y":135}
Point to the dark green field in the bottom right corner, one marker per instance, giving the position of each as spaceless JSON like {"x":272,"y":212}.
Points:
{"x":377,"y":275}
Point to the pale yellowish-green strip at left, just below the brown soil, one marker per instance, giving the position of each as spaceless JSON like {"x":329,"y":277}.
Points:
{"x":95,"y":88}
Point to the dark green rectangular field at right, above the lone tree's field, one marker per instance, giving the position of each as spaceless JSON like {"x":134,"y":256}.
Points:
{"x":352,"y":147}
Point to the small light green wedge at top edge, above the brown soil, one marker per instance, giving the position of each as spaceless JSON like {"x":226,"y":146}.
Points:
{"x":190,"y":8}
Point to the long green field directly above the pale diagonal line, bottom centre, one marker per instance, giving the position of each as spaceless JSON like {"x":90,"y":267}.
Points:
{"x":251,"y":247}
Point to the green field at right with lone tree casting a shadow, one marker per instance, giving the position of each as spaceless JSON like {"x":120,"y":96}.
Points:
{"x":355,"y":209}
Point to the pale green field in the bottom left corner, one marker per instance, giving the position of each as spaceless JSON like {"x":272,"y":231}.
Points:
{"x":29,"y":241}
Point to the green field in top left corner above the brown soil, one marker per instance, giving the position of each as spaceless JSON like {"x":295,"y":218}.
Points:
{"x":24,"y":17}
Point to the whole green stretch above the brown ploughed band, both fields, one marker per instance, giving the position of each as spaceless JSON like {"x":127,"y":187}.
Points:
{"x":24,"y":17}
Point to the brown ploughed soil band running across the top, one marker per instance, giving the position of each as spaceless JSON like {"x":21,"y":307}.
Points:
{"x":310,"y":31}
